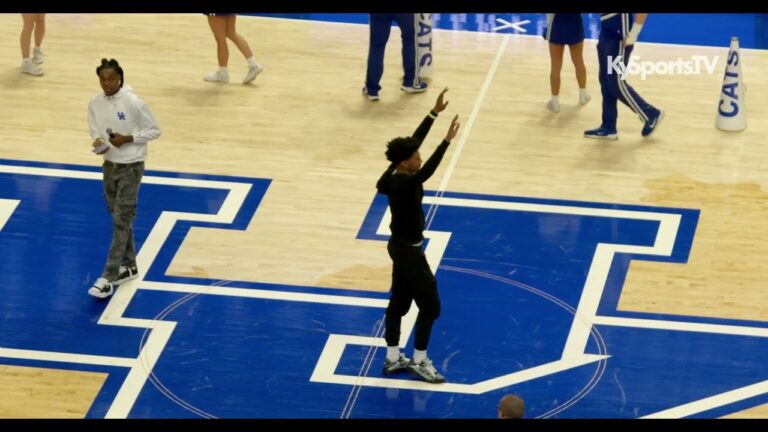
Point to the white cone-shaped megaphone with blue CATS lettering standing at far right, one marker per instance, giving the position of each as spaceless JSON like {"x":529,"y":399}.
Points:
{"x":732,"y":109}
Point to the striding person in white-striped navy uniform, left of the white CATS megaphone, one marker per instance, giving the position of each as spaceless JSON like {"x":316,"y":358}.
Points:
{"x":617,"y":39}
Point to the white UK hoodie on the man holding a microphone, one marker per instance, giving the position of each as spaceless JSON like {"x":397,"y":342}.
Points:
{"x":127,"y":114}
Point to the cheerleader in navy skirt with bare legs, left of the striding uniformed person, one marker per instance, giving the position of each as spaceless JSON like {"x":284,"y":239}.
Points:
{"x":566,"y":29}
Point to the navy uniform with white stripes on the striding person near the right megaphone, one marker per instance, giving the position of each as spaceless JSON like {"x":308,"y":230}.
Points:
{"x":614,"y":27}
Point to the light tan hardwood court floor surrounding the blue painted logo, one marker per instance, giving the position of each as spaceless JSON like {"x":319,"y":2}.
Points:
{"x":304,"y":124}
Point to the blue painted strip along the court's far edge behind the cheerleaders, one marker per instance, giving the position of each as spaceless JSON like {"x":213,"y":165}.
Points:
{"x":709,"y":29}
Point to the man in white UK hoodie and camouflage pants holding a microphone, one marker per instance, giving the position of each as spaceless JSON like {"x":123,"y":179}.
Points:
{"x":121,"y":125}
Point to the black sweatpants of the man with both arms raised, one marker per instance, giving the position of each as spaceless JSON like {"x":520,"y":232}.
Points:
{"x":412,"y":279}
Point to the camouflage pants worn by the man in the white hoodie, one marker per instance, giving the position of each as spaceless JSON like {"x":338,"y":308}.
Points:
{"x":121,"y":191}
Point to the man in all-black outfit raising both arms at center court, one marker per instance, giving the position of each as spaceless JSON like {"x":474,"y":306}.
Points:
{"x":412,"y":279}
